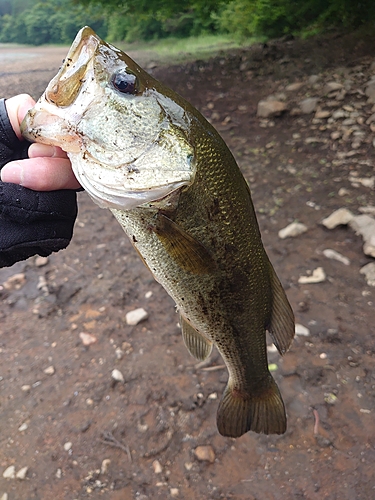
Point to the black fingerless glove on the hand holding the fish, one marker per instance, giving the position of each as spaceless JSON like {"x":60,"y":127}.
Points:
{"x":31,"y":222}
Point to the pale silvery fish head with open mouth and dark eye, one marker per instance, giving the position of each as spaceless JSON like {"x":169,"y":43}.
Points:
{"x":127,"y":136}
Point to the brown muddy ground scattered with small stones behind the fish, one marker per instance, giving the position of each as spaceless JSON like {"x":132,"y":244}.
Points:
{"x":83,"y":435}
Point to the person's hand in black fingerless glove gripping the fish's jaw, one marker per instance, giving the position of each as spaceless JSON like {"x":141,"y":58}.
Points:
{"x":37,"y":216}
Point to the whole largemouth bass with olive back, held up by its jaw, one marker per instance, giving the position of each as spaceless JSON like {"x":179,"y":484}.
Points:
{"x":141,"y":150}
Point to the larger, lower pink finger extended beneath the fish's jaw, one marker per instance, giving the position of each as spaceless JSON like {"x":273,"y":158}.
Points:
{"x":41,"y":174}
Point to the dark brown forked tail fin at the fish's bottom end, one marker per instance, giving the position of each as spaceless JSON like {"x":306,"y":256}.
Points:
{"x":240,"y":412}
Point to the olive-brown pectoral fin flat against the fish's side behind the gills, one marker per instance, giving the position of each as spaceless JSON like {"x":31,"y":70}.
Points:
{"x":191,"y":255}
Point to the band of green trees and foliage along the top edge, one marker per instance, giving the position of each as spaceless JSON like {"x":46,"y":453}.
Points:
{"x":57,"y":21}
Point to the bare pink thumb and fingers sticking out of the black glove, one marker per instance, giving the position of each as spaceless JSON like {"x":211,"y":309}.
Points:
{"x":47,"y":168}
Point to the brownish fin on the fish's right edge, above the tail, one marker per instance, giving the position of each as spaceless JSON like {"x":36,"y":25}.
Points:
{"x":281,"y":327}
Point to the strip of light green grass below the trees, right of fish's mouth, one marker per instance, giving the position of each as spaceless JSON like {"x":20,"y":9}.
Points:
{"x":179,"y":50}
